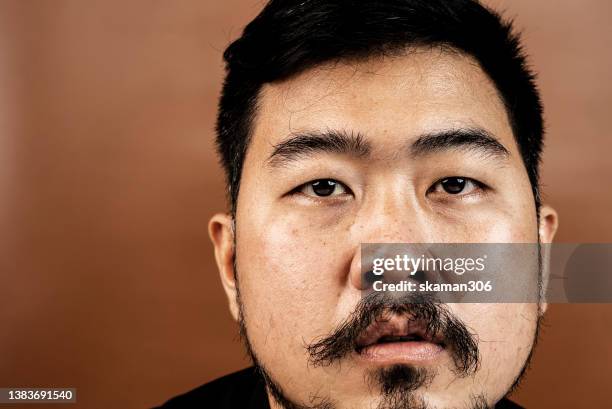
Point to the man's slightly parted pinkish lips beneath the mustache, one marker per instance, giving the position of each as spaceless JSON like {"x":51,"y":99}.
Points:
{"x":398,"y":339}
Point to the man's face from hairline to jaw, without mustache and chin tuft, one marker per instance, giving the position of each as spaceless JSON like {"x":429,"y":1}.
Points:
{"x":305,"y":207}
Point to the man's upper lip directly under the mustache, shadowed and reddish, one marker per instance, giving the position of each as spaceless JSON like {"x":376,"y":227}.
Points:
{"x":395,"y":326}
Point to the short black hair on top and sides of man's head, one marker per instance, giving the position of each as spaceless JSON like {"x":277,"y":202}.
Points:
{"x":290,"y":36}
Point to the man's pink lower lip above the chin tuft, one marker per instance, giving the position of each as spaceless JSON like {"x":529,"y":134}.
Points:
{"x":410,"y":351}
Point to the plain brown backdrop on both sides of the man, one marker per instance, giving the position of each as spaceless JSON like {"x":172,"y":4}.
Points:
{"x":108,"y":178}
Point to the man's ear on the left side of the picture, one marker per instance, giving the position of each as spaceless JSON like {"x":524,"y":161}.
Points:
{"x":221,"y":232}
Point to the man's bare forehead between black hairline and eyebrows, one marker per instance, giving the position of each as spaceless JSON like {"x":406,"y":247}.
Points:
{"x":388,"y":99}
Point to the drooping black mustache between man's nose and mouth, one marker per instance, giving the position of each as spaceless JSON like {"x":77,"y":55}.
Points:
{"x":422,"y":308}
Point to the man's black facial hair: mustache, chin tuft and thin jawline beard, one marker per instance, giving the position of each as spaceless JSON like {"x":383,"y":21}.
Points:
{"x":397,"y":384}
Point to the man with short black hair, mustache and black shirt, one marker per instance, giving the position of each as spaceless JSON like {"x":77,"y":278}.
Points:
{"x":350,"y":122}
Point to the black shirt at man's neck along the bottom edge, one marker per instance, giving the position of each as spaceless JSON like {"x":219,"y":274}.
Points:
{"x":243,"y":390}
